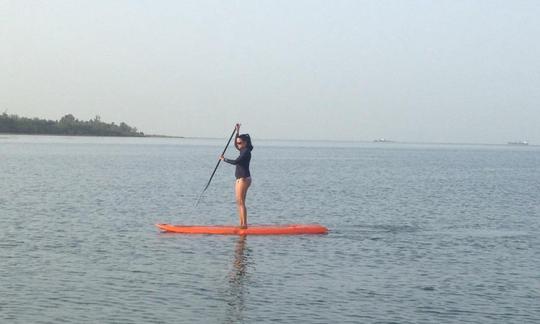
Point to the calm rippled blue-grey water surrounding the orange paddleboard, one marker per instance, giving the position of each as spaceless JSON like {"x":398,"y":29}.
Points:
{"x":419,"y":233}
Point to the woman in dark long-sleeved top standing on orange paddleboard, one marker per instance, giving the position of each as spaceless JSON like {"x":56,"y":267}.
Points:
{"x":243,"y":176}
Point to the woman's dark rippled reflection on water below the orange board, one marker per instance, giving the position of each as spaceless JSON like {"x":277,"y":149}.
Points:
{"x":237,"y":282}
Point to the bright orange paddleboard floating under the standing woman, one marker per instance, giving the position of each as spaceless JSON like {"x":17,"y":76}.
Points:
{"x":289,"y":229}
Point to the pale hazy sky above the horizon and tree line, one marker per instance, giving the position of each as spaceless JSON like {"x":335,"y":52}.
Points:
{"x":442,"y":71}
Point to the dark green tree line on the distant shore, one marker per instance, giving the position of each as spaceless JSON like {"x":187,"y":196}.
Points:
{"x":67,"y":125}
